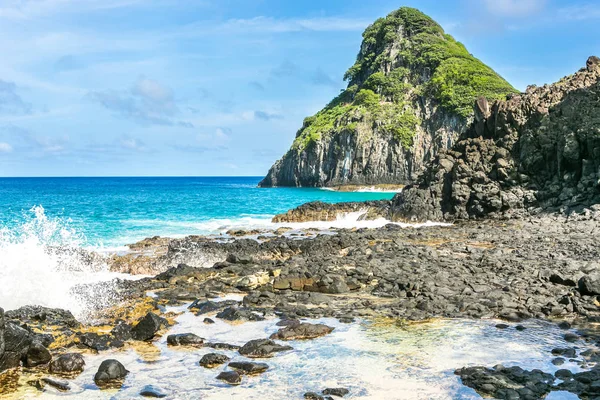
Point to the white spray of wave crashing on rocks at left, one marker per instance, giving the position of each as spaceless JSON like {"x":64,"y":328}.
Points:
{"x":42,"y":263}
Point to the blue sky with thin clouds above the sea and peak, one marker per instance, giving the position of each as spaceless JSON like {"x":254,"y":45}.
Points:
{"x":219,"y":87}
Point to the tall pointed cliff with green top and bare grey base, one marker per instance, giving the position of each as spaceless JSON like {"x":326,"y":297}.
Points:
{"x":409,"y":95}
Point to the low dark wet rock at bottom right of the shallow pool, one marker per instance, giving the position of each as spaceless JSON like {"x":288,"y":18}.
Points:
{"x":507,"y":383}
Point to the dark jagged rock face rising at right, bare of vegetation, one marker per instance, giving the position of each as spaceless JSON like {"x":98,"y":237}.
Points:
{"x":537,"y":151}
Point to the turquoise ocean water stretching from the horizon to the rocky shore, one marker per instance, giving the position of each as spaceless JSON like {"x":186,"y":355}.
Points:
{"x":118,"y":211}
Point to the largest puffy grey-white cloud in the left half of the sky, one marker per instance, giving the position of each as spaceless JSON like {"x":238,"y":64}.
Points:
{"x":148,"y":102}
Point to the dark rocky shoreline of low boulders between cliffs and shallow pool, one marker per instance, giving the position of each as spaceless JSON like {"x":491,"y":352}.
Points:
{"x":541,"y":268}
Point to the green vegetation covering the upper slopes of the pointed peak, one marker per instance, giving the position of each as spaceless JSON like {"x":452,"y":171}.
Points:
{"x":403,"y":56}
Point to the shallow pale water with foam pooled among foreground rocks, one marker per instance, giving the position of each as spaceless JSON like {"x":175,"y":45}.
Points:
{"x":374,"y":361}
